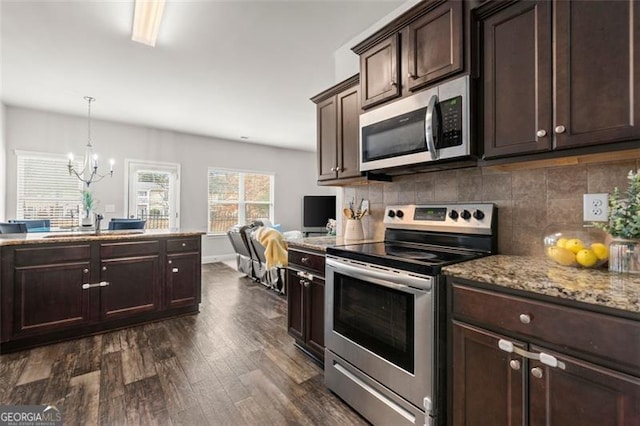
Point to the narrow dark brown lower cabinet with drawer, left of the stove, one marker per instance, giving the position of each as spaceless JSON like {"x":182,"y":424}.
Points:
{"x":305,"y":301}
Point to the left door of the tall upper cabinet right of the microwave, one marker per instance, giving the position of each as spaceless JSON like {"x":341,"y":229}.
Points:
{"x":516,"y":79}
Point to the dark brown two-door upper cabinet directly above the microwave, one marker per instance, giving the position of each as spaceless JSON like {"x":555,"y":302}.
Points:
{"x":421,"y":46}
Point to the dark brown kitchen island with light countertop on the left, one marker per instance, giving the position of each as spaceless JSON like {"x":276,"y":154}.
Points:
{"x":62,"y":285}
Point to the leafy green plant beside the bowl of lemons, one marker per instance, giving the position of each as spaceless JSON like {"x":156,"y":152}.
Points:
{"x":624,"y":213}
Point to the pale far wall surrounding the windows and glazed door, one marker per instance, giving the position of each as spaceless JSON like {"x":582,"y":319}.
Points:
{"x":295,"y":171}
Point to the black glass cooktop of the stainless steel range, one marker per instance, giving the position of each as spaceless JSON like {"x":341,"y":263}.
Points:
{"x":419,"y":258}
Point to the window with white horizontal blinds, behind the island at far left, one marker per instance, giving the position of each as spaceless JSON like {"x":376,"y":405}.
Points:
{"x":45,"y":189}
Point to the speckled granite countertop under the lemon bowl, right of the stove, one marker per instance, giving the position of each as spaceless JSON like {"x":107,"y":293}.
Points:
{"x":541,"y":276}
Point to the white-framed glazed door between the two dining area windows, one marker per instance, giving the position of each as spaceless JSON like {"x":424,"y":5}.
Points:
{"x":154,"y":193}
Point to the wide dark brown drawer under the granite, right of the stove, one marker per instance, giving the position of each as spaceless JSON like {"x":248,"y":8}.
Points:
{"x":601,"y":335}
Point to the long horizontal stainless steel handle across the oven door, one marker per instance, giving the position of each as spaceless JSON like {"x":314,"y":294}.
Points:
{"x":411,"y":284}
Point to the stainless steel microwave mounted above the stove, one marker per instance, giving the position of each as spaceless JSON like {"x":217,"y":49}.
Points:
{"x":429,"y":126}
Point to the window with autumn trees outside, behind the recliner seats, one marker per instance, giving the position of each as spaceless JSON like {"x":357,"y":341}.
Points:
{"x":238,"y":198}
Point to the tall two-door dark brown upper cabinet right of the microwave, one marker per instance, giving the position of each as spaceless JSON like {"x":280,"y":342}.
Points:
{"x":558,"y":75}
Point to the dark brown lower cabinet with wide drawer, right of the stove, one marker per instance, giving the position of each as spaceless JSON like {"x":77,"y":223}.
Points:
{"x":492,"y":386}
